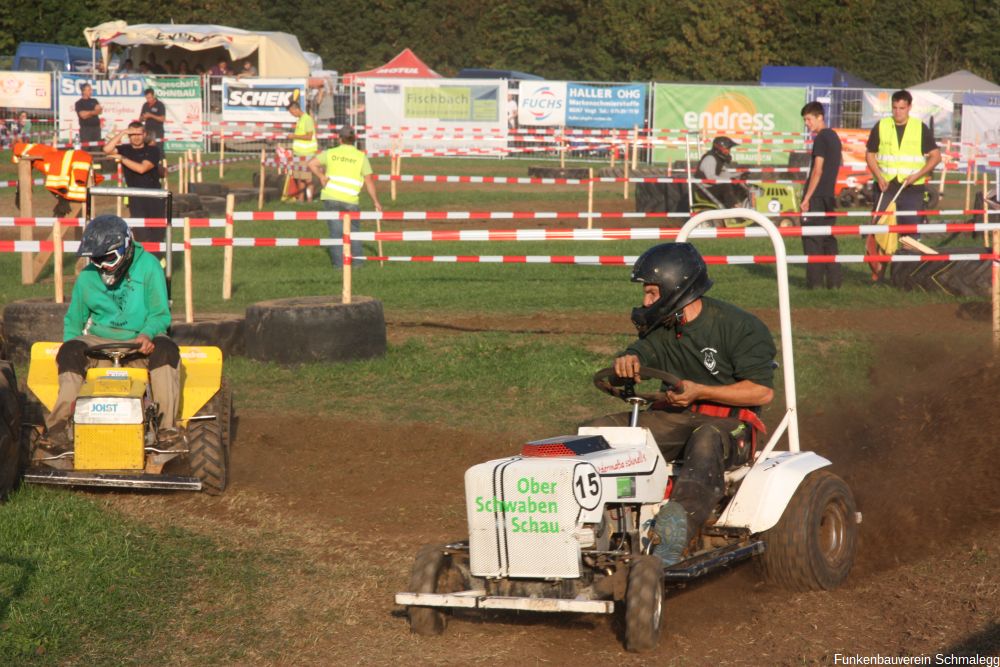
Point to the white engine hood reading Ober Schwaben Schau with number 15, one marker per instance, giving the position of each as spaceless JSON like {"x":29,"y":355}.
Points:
{"x":530,"y":515}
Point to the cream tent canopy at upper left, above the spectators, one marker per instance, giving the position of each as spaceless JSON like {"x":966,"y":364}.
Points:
{"x":278,"y":53}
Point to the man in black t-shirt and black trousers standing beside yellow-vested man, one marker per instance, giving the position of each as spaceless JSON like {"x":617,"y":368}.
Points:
{"x":819,"y":198}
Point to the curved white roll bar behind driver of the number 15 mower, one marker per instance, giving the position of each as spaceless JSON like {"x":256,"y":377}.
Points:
{"x":790,"y":421}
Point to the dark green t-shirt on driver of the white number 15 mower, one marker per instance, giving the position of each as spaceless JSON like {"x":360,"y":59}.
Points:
{"x":722,"y":346}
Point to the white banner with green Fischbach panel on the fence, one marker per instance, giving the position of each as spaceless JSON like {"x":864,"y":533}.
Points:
{"x":465,"y":114}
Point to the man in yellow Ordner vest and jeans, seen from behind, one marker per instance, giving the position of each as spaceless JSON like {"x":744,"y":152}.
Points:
{"x":343,"y":171}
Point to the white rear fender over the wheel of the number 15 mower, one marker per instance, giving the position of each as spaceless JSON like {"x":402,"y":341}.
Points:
{"x":767,"y":489}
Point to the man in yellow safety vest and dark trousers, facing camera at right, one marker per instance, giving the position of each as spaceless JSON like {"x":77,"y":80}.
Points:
{"x":900,"y":152}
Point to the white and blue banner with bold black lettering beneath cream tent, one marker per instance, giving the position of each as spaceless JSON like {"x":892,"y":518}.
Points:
{"x":261,"y":100}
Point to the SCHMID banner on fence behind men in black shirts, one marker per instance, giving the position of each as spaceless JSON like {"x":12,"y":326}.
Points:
{"x":122,"y":98}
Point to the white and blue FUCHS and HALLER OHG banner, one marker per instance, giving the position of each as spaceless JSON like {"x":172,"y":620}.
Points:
{"x":556,"y":103}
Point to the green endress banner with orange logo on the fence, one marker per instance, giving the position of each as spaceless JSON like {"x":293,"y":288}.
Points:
{"x":741,"y":112}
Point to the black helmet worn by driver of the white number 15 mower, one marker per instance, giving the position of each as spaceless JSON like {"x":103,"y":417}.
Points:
{"x":682,"y":276}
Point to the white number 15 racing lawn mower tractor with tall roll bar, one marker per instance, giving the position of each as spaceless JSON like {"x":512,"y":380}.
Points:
{"x":565,"y":524}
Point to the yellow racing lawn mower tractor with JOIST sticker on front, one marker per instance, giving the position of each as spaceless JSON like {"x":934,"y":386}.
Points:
{"x":114,"y":424}
